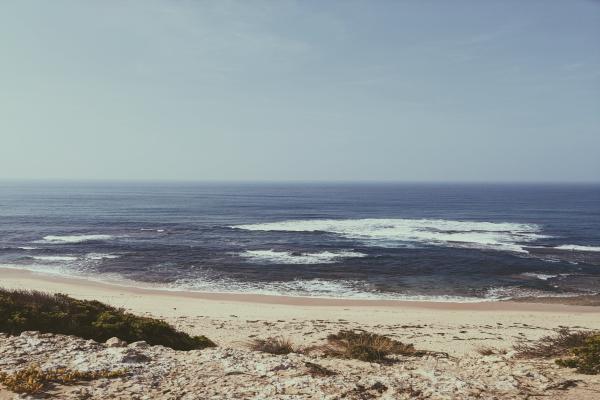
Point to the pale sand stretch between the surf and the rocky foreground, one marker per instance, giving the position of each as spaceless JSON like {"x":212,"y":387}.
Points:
{"x":233,"y":319}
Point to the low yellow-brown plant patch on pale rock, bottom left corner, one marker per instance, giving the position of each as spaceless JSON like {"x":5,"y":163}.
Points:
{"x":33,"y":379}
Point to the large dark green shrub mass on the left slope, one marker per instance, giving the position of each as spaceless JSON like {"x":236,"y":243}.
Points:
{"x":36,"y":311}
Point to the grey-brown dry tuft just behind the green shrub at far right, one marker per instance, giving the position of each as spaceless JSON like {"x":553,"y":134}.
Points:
{"x":557,"y":345}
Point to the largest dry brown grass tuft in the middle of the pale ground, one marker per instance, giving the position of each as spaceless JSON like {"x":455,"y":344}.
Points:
{"x":366,"y":346}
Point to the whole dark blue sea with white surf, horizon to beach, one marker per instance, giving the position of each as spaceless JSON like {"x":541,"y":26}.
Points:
{"x":387,"y":241}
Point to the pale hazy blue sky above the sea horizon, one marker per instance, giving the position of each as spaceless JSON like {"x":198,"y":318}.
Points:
{"x":485,"y":91}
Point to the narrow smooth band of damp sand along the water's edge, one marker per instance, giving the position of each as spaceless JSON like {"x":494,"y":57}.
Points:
{"x":10,"y":278}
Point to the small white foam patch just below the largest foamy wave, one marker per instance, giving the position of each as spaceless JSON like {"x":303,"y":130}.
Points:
{"x":288,"y":257}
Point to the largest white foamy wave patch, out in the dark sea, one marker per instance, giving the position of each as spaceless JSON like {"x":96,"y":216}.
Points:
{"x":506,"y":236}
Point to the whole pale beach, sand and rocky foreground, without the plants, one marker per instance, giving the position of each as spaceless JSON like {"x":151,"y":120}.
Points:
{"x":232,"y":370}
